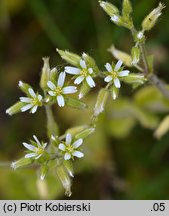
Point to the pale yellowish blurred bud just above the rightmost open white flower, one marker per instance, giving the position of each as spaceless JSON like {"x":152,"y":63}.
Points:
{"x":119,"y":55}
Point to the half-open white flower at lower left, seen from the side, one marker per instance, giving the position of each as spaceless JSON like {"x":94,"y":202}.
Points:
{"x":36,"y":151}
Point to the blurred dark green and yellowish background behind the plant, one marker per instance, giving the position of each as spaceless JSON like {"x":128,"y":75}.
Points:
{"x":122,"y":159}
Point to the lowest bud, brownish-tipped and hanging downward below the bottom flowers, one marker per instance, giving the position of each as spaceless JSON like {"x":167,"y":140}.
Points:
{"x":65,"y":179}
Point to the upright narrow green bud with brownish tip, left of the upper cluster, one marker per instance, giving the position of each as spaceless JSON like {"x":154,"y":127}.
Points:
{"x":45,"y":74}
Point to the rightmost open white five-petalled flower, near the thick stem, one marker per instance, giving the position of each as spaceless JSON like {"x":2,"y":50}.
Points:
{"x":114,"y":73}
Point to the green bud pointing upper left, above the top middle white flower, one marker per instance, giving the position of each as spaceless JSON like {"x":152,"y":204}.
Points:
{"x":71,"y":58}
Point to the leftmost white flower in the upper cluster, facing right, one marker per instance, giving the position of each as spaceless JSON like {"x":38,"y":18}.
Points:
{"x":31,"y":102}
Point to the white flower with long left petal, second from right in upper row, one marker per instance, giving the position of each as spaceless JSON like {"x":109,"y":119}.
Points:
{"x":82,"y":73}
